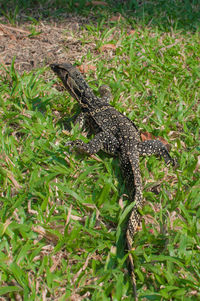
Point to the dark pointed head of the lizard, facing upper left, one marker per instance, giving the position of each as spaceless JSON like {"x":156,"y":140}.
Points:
{"x":71,"y":78}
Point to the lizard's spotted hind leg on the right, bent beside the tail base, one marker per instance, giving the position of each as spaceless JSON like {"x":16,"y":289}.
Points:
{"x":154,"y":147}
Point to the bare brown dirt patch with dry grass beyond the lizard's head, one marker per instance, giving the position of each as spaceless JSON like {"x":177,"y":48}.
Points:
{"x":56,"y":42}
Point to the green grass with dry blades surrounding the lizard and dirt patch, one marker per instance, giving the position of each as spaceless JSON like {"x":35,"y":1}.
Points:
{"x":62,"y":214}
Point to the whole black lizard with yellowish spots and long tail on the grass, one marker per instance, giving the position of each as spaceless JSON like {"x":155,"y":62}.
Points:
{"x":115,"y":134}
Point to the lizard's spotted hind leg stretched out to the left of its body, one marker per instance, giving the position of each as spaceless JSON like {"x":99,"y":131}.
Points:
{"x":101,"y":141}
